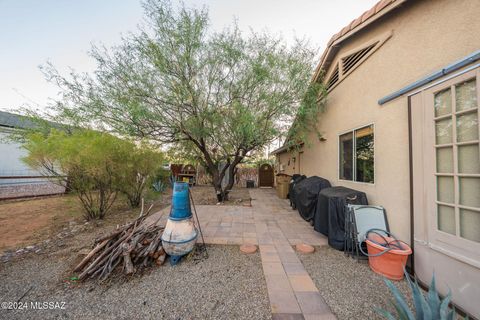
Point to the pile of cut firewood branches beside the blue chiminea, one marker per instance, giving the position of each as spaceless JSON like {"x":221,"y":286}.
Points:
{"x":132,"y":246}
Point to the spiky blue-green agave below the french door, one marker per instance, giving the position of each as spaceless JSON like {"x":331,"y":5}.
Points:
{"x":430,"y":307}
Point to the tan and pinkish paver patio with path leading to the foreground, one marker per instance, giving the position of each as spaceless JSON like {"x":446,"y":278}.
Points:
{"x":275,"y":227}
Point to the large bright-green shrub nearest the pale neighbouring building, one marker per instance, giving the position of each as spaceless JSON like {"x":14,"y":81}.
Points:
{"x":87,"y":158}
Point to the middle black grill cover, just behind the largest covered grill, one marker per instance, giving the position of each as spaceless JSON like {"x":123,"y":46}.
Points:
{"x":306,"y":194}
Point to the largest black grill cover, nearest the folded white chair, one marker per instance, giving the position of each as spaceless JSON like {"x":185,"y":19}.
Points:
{"x":330,"y":212}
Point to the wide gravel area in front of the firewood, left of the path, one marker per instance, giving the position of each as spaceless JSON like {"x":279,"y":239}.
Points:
{"x":227,"y":285}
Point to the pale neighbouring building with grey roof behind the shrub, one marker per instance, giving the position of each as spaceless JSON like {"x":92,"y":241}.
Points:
{"x":18,"y":180}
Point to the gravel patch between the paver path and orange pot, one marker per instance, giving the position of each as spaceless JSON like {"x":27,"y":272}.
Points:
{"x":351,"y":289}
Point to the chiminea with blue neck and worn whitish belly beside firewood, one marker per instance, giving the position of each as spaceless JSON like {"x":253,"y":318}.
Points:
{"x":180,"y":234}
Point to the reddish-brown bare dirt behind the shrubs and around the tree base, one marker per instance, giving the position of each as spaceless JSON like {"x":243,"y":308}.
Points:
{"x":31,"y":221}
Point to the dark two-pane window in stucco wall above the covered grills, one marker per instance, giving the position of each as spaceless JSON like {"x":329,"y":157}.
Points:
{"x":357,"y":155}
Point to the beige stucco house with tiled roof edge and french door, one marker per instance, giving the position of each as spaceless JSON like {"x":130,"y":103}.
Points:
{"x":402,"y":125}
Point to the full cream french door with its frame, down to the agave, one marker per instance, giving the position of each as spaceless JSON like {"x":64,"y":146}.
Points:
{"x":446,"y":186}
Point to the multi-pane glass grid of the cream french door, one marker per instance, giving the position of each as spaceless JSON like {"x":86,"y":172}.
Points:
{"x":457,"y":170}
